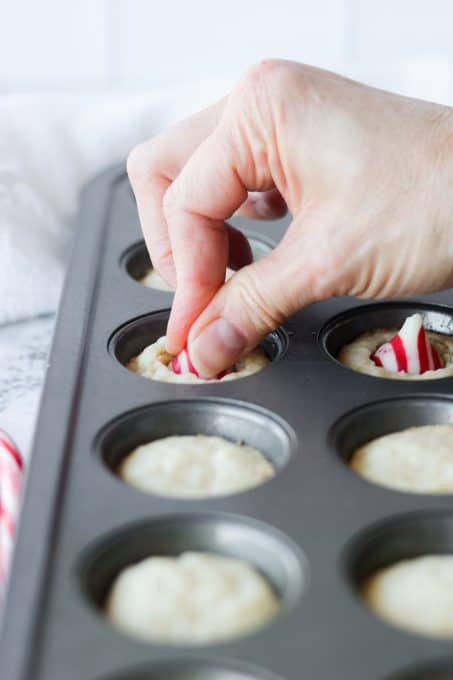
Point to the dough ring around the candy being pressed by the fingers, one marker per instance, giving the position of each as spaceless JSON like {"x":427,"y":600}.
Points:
{"x":153,"y":363}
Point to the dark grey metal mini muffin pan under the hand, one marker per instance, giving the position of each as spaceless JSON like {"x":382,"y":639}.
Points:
{"x":315,"y":530}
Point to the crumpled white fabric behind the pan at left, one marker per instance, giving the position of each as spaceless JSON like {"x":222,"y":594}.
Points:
{"x":50,"y":145}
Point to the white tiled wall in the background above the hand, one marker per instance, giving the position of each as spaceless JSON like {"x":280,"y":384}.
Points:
{"x":406,"y":45}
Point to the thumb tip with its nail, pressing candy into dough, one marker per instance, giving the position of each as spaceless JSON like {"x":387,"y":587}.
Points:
{"x":217,"y":348}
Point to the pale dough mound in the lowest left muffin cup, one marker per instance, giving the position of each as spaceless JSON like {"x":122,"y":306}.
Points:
{"x":195,"y":598}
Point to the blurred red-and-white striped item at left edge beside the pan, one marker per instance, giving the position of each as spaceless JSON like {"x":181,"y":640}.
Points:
{"x":11,"y":473}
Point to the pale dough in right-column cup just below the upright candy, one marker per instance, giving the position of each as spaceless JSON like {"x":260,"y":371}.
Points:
{"x":418,"y":460}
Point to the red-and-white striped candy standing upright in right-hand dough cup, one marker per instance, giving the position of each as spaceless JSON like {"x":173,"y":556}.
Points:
{"x":409,"y":350}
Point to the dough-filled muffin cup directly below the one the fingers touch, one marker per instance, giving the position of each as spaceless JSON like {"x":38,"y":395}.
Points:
{"x":222,"y":471}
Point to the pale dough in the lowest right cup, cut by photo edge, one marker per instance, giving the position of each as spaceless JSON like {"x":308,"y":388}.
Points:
{"x":415,"y":594}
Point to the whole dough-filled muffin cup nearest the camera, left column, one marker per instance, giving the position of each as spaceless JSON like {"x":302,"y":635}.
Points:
{"x":118,"y":572}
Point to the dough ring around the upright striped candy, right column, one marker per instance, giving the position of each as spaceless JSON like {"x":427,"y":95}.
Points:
{"x":357,"y":355}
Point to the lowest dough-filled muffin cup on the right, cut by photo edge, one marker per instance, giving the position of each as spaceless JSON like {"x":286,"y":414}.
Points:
{"x":403,"y":569}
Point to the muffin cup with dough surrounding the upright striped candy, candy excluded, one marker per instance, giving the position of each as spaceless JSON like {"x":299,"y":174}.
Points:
{"x":351,"y":338}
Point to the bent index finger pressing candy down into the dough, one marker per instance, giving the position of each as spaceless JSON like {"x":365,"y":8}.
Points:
{"x":208,"y":190}
